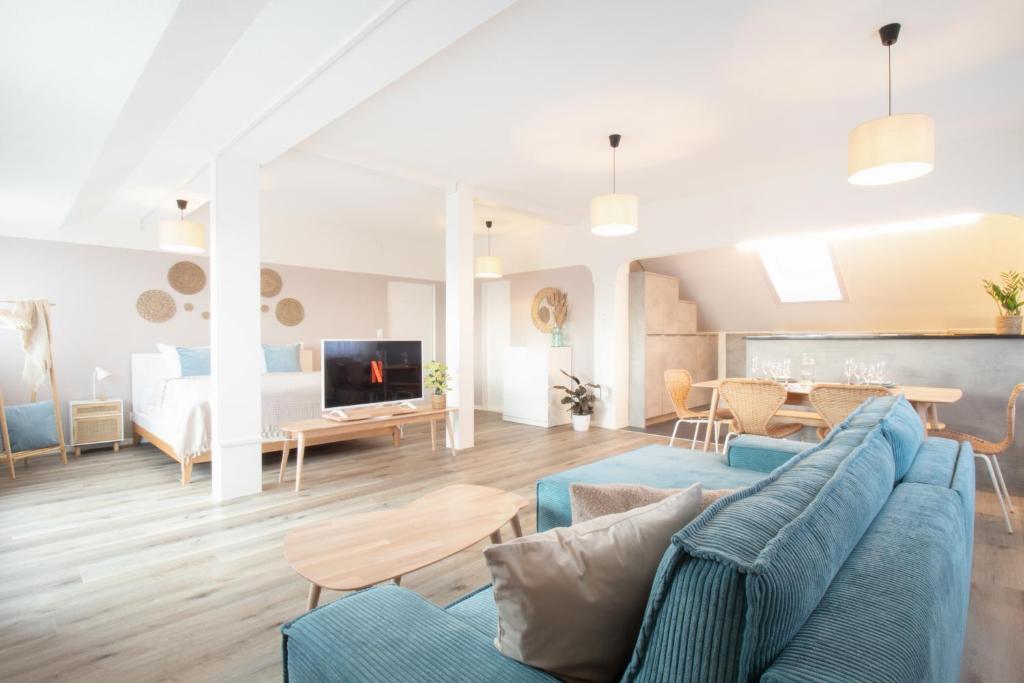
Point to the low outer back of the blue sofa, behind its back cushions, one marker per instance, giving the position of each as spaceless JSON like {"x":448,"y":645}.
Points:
{"x":898,"y":610}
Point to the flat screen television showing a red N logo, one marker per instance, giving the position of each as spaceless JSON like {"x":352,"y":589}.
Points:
{"x":361,"y":372}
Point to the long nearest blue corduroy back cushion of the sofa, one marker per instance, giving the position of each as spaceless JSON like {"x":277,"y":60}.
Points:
{"x":740,"y":581}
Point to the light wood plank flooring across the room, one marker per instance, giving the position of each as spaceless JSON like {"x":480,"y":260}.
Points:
{"x":110,"y":571}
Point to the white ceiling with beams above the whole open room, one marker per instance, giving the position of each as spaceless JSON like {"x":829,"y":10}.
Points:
{"x":112,"y":110}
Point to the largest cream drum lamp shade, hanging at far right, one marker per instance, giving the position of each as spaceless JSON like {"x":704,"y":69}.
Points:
{"x":891,"y":150}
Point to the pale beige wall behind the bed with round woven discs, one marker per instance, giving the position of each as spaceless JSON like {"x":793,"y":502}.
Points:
{"x":96,"y":322}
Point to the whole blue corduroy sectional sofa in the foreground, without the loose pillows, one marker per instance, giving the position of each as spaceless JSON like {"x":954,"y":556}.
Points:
{"x":849,"y":562}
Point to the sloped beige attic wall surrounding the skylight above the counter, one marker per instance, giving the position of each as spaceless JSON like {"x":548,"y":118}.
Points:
{"x":920,"y":281}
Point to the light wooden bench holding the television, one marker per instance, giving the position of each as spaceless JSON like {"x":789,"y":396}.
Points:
{"x":323,"y":431}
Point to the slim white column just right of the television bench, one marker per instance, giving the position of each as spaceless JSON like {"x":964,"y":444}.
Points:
{"x":459,"y":310}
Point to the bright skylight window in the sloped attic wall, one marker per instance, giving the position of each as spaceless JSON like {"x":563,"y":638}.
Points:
{"x":801,"y":271}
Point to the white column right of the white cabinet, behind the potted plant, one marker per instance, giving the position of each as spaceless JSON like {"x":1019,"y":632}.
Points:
{"x":612,"y":345}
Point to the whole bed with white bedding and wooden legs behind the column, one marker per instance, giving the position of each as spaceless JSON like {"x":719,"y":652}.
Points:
{"x":175,"y":414}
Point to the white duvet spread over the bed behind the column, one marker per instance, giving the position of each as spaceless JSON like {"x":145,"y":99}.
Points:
{"x":183,"y":407}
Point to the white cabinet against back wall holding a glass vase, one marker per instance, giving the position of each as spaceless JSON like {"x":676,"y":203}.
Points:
{"x":530,"y":374}
